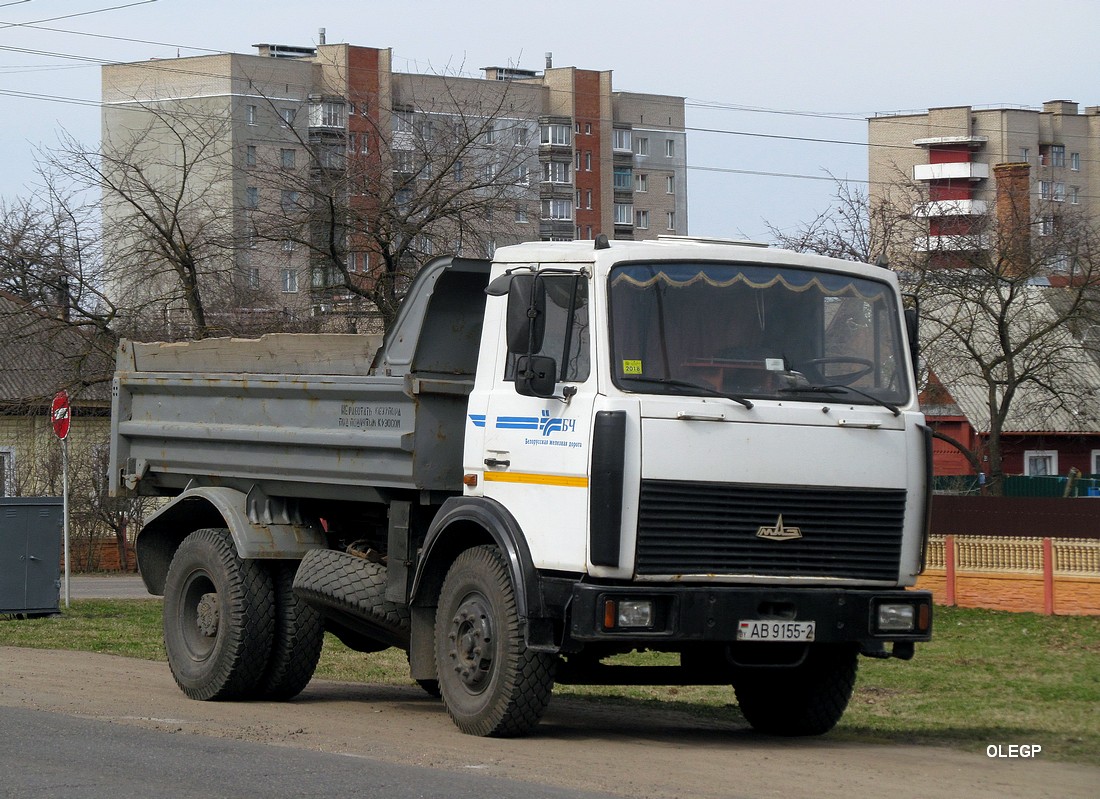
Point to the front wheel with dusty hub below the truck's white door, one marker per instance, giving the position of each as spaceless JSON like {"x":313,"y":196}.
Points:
{"x":491,"y":683}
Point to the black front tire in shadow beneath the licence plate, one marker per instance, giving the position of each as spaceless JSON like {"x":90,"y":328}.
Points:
{"x":806,"y":701}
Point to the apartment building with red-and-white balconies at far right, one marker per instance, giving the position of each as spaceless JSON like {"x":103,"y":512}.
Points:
{"x":954,"y":157}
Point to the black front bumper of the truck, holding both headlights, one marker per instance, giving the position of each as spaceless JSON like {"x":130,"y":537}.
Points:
{"x":716,"y":614}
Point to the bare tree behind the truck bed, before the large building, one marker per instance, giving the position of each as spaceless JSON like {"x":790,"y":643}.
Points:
{"x":447,"y":171}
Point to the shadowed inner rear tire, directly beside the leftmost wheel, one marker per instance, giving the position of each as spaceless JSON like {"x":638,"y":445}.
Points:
{"x":296,"y":645}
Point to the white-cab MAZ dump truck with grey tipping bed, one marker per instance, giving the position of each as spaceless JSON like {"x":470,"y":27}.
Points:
{"x":707,"y":450}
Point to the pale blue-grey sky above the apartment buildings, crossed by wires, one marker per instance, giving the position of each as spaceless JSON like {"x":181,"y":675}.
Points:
{"x":778,"y":91}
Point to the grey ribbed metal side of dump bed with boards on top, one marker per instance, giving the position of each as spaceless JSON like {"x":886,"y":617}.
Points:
{"x":298,"y":415}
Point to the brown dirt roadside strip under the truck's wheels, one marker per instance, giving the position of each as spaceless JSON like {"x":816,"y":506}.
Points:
{"x":641,"y":753}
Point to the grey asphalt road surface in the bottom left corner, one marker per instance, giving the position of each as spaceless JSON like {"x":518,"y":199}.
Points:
{"x":58,"y":756}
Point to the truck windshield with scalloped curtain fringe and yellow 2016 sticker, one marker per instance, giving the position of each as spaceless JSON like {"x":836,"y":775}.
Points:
{"x":755,"y":332}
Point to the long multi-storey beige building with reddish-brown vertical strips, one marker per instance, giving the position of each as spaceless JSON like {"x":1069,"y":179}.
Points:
{"x":563,"y":155}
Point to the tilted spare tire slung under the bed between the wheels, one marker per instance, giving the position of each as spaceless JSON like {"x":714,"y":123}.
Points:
{"x":351,"y":593}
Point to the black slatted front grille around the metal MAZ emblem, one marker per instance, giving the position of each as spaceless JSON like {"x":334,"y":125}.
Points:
{"x":712,"y":529}
